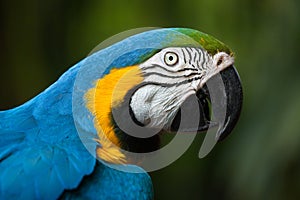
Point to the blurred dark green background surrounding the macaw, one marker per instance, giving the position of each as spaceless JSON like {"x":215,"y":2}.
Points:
{"x":40,"y":40}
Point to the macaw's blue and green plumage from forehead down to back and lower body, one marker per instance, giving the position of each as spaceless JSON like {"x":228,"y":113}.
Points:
{"x":41,"y":153}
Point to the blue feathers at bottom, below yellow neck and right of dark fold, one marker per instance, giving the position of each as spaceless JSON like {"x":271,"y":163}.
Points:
{"x":108,"y":183}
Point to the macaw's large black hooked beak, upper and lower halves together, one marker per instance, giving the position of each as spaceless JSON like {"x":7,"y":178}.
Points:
{"x":219,"y":102}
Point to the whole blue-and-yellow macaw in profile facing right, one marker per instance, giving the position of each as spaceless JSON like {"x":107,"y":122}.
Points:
{"x":61,"y":143}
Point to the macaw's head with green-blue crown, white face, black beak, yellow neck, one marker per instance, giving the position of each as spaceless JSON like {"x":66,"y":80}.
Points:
{"x":167,"y":80}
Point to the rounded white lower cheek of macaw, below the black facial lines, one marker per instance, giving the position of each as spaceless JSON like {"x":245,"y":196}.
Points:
{"x":156,"y":106}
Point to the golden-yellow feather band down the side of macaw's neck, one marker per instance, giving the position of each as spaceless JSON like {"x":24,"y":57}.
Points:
{"x":109,"y":91}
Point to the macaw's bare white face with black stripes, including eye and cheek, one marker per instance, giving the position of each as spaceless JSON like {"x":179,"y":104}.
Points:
{"x":170,"y":76}
